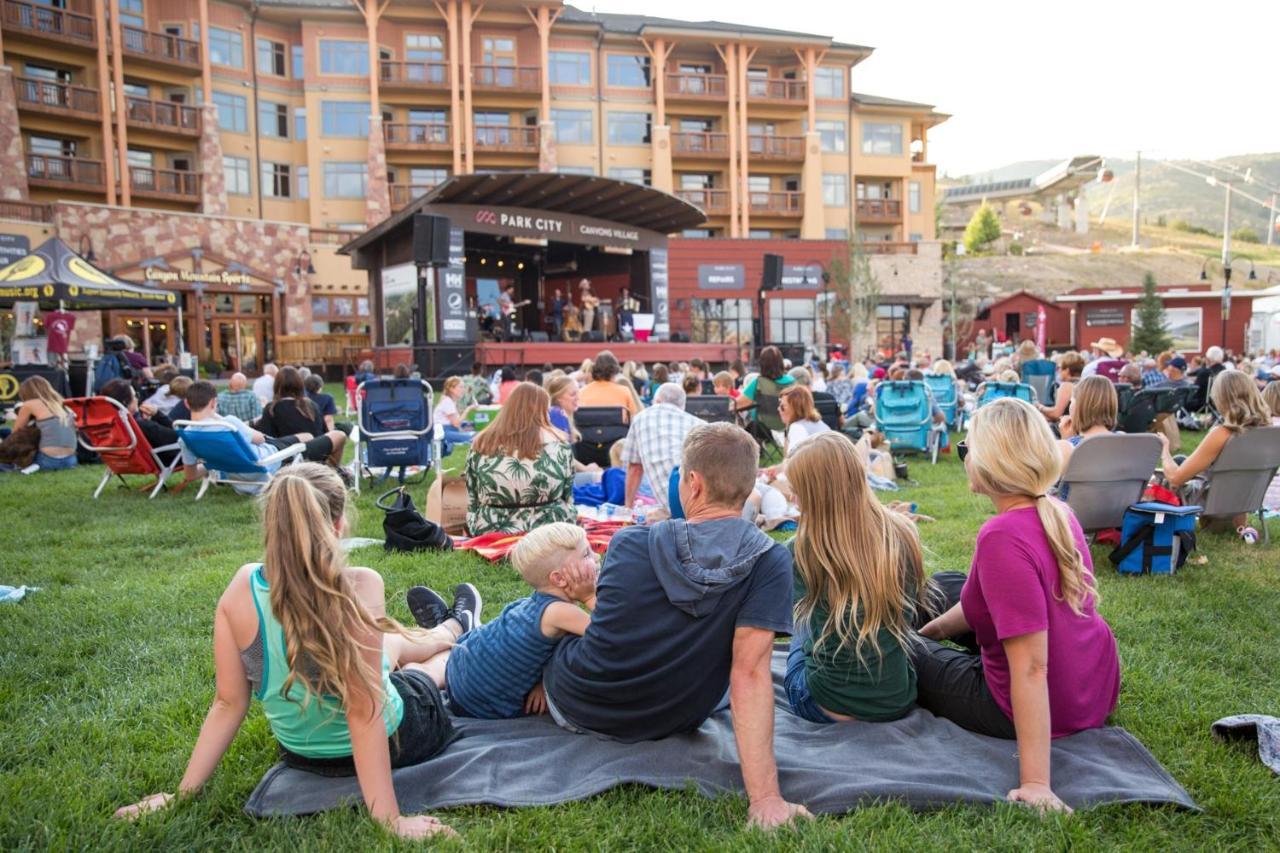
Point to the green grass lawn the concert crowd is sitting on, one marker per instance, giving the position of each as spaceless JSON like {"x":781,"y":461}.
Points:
{"x":106,"y":677}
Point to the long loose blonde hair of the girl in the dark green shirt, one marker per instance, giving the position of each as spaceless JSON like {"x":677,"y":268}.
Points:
{"x":854,"y":555}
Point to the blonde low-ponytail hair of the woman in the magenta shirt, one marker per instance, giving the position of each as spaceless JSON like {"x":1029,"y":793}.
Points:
{"x":1013,"y":453}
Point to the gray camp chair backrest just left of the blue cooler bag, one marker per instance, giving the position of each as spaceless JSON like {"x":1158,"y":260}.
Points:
{"x":1107,"y":476}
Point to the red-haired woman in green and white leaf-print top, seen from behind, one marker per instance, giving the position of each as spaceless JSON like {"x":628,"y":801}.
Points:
{"x":520,"y":472}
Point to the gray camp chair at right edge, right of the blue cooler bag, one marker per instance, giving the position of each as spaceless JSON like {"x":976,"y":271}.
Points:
{"x":1237,"y":482}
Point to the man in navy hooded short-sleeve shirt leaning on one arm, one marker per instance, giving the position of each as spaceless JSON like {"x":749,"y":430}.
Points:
{"x":687,"y":610}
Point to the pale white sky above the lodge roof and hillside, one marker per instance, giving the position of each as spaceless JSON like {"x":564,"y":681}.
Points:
{"x":1036,"y":80}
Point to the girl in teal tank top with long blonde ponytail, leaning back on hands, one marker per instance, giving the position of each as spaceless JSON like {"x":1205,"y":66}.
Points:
{"x":340,"y":682}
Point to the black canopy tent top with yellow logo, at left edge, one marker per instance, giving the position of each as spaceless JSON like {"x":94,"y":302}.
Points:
{"x":54,"y":276}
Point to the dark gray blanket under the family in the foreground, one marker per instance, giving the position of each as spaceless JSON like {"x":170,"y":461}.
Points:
{"x":922,"y":761}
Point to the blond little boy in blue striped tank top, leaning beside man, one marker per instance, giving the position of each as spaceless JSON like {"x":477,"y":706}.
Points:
{"x":495,"y":672}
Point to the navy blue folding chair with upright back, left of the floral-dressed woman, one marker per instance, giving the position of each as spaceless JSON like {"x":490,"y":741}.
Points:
{"x":395,"y":423}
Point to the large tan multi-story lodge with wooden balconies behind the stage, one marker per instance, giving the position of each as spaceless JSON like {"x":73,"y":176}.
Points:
{"x":227,"y":149}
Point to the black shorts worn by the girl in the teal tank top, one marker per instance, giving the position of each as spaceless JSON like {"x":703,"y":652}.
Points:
{"x":424,"y":732}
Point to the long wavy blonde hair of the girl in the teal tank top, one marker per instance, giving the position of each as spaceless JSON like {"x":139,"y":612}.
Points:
{"x":310,"y":596}
